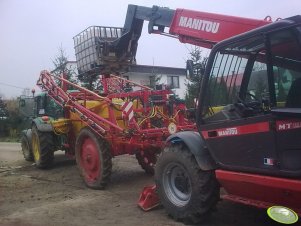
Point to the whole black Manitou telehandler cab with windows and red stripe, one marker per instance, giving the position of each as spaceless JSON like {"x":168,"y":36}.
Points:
{"x":250,"y":101}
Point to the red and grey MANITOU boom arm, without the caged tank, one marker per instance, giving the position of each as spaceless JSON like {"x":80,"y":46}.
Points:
{"x":198,"y":28}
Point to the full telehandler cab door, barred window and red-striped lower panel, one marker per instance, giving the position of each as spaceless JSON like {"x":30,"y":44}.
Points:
{"x":238,"y":127}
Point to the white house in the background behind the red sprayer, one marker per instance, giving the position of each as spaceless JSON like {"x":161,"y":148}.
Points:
{"x":173,"y":78}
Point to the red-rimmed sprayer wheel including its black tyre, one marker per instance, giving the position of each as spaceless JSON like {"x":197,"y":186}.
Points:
{"x":93,"y":158}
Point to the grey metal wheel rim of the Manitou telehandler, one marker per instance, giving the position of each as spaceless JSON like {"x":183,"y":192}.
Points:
{"x":177,"y":184}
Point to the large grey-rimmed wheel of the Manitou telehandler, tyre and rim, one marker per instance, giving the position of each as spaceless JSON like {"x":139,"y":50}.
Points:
{"x":188,"y":193}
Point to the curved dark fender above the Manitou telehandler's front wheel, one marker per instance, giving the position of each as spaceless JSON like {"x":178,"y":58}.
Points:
{"x":197,"y":146}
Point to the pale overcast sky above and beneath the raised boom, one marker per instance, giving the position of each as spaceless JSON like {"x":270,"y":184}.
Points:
{"x":33,"y":30}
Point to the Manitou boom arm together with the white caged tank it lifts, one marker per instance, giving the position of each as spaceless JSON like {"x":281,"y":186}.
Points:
{"x":104,"y":50}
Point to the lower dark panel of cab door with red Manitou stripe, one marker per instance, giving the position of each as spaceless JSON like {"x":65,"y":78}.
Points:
{"x":246,"y":144}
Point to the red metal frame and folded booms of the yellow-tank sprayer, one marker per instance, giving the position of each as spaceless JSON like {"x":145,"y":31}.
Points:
{"x":140,"y":134}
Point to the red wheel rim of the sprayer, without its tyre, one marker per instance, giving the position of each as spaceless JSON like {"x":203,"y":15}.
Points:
{"x":90,"y":161}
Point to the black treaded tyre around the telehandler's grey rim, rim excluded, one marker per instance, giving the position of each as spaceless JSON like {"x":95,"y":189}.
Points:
{"x":202,"y":203}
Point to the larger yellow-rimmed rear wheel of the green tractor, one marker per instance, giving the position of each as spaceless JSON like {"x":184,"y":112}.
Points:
{"x":43,"y":148}
